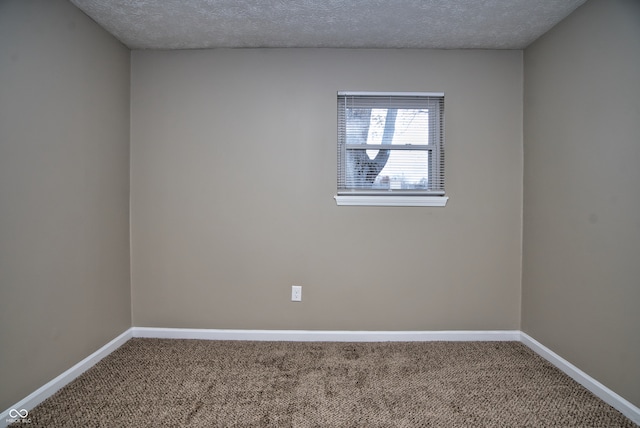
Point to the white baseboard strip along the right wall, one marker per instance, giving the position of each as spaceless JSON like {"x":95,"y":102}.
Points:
{"x":599,"y":390}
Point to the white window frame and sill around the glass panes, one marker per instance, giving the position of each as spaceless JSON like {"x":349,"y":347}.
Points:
{"x":366,"y":197}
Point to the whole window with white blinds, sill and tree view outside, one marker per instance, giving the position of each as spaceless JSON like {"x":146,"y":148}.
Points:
{"x":391,"y":149}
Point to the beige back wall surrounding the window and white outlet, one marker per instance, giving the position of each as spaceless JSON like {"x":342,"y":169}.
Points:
{"x":233,"y":178}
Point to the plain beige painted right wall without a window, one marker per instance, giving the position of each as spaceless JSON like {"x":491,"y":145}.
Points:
{"x":581,"y":273}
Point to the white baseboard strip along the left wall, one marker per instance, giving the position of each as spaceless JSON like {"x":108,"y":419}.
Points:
{"x":51,"y":387}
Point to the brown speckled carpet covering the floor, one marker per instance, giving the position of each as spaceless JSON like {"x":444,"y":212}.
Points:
{"x":196,"y":383}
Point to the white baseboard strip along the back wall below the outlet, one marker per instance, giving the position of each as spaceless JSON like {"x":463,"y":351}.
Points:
{"x":325,"y":335}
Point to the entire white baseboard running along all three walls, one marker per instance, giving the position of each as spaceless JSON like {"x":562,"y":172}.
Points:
{"x":601,"y":391}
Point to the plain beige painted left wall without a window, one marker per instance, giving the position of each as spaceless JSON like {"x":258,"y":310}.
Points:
{"x":64,"y":177}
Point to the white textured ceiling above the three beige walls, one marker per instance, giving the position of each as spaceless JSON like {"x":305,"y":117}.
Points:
{"x":444,"y":24}
